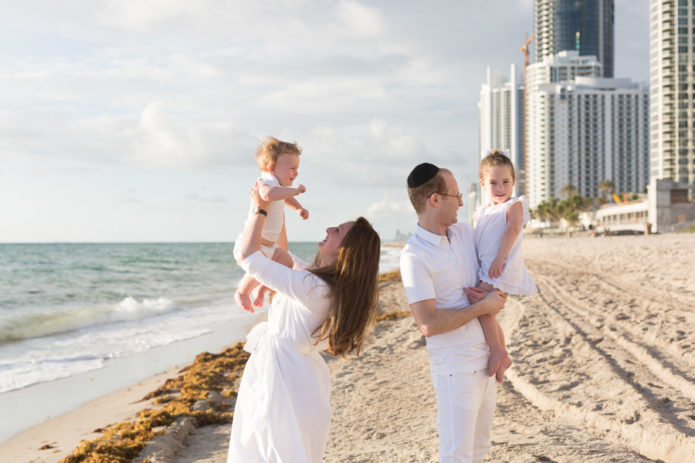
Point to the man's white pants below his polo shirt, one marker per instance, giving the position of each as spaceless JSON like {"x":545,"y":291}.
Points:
{"x":465,"y":408}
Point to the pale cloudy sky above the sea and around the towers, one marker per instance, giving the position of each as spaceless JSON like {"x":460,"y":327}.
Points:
{"x":137,"y":120}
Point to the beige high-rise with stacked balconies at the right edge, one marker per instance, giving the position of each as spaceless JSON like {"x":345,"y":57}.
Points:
{"x":672,"y":84}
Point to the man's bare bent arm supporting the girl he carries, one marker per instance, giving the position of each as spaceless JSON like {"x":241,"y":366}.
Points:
{"x":433,"y":321}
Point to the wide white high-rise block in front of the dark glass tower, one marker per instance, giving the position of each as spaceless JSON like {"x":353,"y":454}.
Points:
{"x":584,"y":131}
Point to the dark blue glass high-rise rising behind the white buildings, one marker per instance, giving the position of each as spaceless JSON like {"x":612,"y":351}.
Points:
{"x":585,"y":26}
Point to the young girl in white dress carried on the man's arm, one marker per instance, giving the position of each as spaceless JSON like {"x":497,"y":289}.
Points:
{"x":498,"y":227}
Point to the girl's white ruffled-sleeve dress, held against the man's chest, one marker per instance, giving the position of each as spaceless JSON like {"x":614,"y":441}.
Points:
{"x":490,"y":222}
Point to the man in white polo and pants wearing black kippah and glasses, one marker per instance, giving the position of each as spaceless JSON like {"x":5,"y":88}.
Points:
{"x":439,"y":268}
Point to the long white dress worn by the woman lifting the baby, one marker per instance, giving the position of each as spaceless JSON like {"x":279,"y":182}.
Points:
{"x":282,"y":412}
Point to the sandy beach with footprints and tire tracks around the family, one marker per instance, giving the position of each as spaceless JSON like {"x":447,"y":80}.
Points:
{"x":603,"y":370}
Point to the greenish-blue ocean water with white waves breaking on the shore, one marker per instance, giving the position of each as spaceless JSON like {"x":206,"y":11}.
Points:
{"x":66,"y":309}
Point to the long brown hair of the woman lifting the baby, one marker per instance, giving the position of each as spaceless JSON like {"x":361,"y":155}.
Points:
{"x":354,"y":291}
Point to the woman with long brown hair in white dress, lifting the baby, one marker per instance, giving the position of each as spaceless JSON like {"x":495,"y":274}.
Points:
{"x":282,"y":412}
